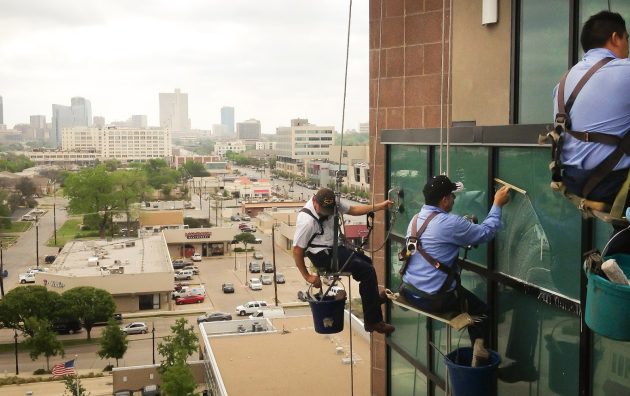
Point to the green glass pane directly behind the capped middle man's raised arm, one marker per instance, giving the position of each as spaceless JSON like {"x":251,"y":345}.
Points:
{"x":469,"y":166}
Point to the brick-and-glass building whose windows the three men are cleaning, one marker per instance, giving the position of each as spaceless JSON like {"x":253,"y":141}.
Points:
{"x":469,"y":99}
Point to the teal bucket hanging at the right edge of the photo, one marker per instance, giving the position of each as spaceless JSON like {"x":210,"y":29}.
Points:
{"x":607,"y":303}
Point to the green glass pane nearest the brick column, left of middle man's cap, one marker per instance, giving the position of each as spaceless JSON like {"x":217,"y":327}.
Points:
{"x":408,"y":171}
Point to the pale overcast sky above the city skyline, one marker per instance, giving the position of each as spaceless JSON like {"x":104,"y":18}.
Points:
{"x":272,"y":60}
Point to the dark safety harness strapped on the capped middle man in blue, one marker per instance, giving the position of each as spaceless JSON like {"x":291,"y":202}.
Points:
{"x":415,"y":242}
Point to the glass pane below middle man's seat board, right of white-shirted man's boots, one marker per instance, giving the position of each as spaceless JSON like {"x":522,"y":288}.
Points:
{"x":411,"y":332}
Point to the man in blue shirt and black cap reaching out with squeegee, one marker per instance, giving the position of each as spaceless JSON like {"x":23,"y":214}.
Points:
{"x":430,"y":288}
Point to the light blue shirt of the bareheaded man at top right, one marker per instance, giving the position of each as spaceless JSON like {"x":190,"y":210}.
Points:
{"x":603,"y":105}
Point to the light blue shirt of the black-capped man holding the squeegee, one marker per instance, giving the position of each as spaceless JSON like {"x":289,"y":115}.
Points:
{"x":444,"y":235}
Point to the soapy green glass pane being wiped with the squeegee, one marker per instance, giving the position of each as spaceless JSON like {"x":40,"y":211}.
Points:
{"x":533,"y":244}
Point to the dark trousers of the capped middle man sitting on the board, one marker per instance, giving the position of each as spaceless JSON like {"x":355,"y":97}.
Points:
{"x":449,"y":302}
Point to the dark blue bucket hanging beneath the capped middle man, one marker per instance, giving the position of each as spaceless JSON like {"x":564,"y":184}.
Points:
{"x":471,"y":381}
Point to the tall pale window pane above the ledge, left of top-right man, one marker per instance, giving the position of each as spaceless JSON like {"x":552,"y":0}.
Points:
{"x":544,"y":51}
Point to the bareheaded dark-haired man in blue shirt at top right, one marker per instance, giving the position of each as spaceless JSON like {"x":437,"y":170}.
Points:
{"x":602,"y":106}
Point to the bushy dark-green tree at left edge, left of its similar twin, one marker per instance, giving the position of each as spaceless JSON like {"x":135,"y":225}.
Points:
{"x":25,"y":302}
